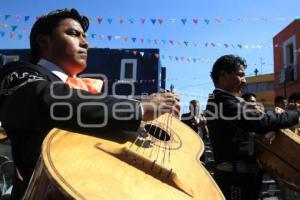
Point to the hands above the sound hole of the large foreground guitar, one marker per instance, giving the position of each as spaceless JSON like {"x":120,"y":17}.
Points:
{"x":157,"y":104}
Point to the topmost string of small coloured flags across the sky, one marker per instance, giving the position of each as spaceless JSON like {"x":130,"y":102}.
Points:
{"x":162,"y":21}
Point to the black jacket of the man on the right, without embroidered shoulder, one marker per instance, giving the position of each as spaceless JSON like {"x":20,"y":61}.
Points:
{"x":229,"y":123}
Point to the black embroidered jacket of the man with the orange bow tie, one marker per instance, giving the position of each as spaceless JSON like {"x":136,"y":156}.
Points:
{"x":31,"y":105}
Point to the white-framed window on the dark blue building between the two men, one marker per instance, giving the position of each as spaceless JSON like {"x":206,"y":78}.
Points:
{"x":128,"y":69}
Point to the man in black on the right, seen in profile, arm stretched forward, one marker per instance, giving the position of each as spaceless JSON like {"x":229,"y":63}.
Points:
{"x":230,"y":121}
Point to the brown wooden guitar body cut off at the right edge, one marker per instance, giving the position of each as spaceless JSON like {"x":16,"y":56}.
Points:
{"x":281,"y":157}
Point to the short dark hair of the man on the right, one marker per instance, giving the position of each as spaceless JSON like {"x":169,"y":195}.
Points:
{"x":227,"y":63}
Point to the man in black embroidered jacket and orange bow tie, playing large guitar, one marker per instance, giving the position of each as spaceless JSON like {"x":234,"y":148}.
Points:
{"x":38,"y":96}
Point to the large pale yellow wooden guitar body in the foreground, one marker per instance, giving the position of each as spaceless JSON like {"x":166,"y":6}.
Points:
{"x":156,"y":162}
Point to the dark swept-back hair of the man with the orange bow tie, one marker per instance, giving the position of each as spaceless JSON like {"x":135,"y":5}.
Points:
{"x":47,"y":23}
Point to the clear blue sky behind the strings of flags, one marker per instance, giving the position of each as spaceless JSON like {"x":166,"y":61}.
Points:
{"x":247,"y":22}
